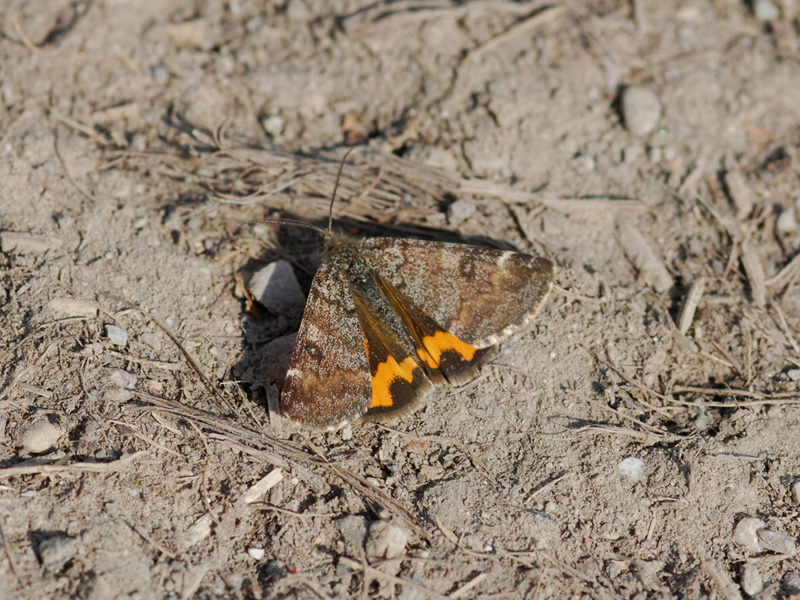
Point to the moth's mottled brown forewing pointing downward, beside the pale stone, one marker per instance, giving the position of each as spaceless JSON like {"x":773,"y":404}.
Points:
{"x":329,"y":379}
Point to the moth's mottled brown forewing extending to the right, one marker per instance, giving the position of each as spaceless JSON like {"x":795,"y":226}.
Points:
{"x":481,"y":295}
